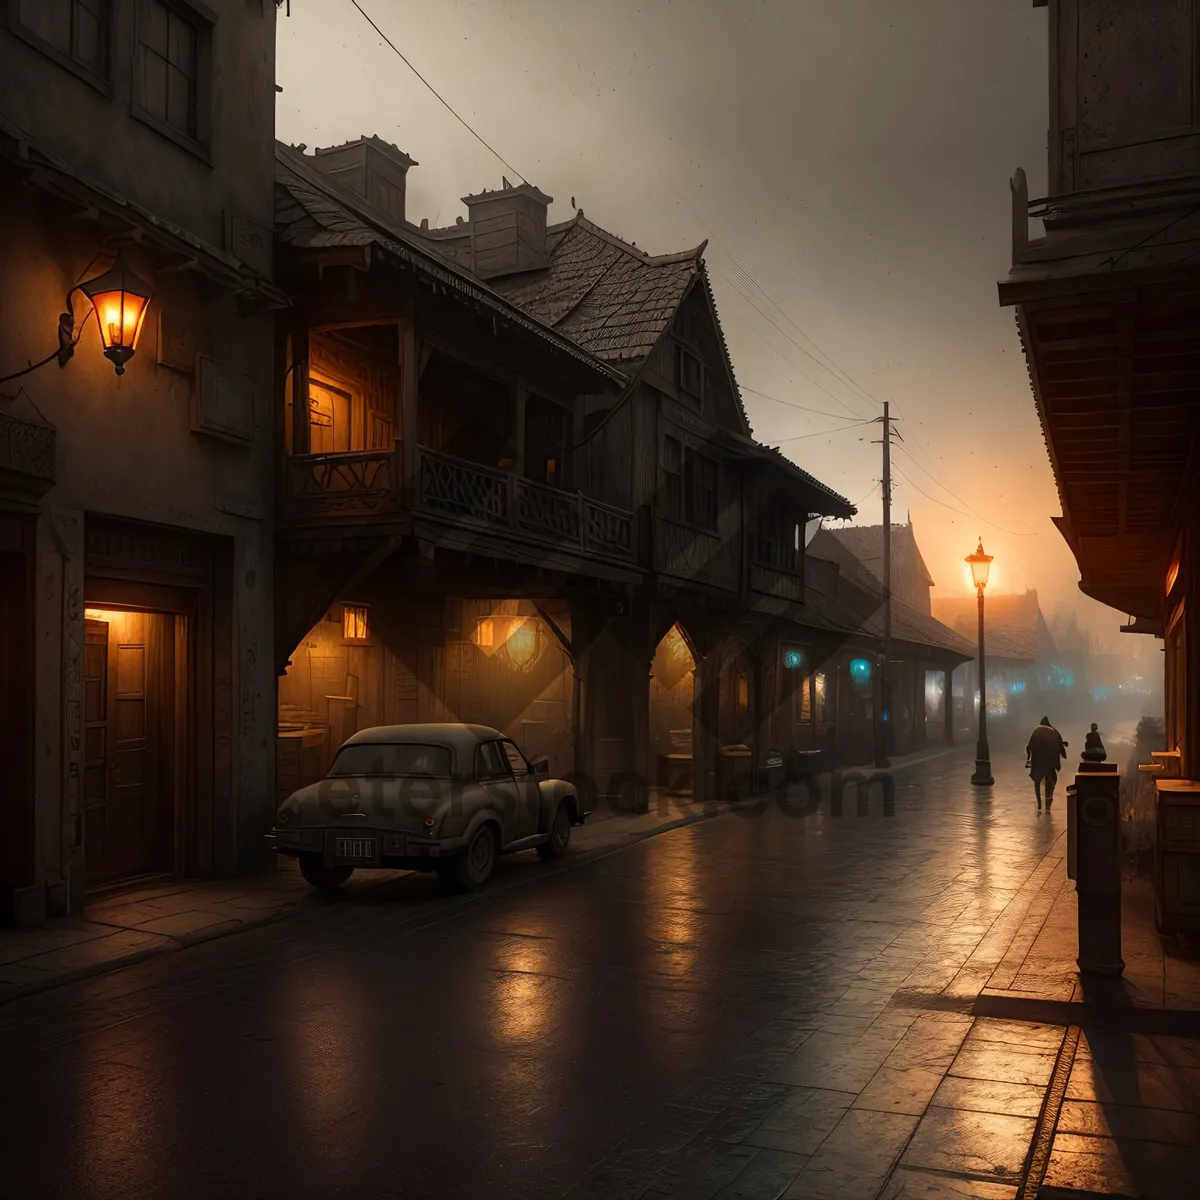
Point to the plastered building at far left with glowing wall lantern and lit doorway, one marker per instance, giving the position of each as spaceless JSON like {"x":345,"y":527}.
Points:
{"x":136,"y":679}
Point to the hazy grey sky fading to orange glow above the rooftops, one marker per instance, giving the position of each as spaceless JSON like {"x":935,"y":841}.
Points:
{"x":854,"y":160}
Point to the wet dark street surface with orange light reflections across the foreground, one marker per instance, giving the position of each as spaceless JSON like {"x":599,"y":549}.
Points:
{"x":747,"y":1007}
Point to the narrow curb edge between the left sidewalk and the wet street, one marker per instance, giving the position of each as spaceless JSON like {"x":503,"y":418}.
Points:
{"x":183,"y":943}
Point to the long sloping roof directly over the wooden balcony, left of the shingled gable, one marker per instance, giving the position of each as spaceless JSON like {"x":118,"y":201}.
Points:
{"x":314,"y":211}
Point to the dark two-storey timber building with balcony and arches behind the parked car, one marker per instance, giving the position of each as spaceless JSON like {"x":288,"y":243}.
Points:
{"x":517,"y":485}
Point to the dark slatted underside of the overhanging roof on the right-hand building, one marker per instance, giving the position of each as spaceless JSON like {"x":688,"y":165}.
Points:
{"x":1117,"y":380}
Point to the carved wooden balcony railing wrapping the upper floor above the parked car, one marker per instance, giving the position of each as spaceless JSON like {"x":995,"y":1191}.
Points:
{"x":365,"y":491}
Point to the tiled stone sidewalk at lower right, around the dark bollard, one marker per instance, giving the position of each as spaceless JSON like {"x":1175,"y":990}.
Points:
{"x":1067,"y":1087}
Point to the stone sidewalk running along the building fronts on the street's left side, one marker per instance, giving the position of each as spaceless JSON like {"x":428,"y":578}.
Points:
{"x":134,"y":925}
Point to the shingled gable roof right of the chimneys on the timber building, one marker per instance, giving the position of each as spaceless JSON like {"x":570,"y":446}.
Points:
{"x":604,"y":293}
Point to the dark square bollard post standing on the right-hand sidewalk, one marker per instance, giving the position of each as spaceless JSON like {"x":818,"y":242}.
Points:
{"x":1097,"y":867}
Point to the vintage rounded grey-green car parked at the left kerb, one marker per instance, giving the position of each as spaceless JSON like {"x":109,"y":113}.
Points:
{"x":446,"y":799}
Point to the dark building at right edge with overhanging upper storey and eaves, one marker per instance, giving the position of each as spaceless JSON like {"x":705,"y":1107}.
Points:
{"x":1108,"y":308}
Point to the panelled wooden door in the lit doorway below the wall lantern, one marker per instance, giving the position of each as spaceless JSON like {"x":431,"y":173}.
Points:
{"x":122,"y":769}
